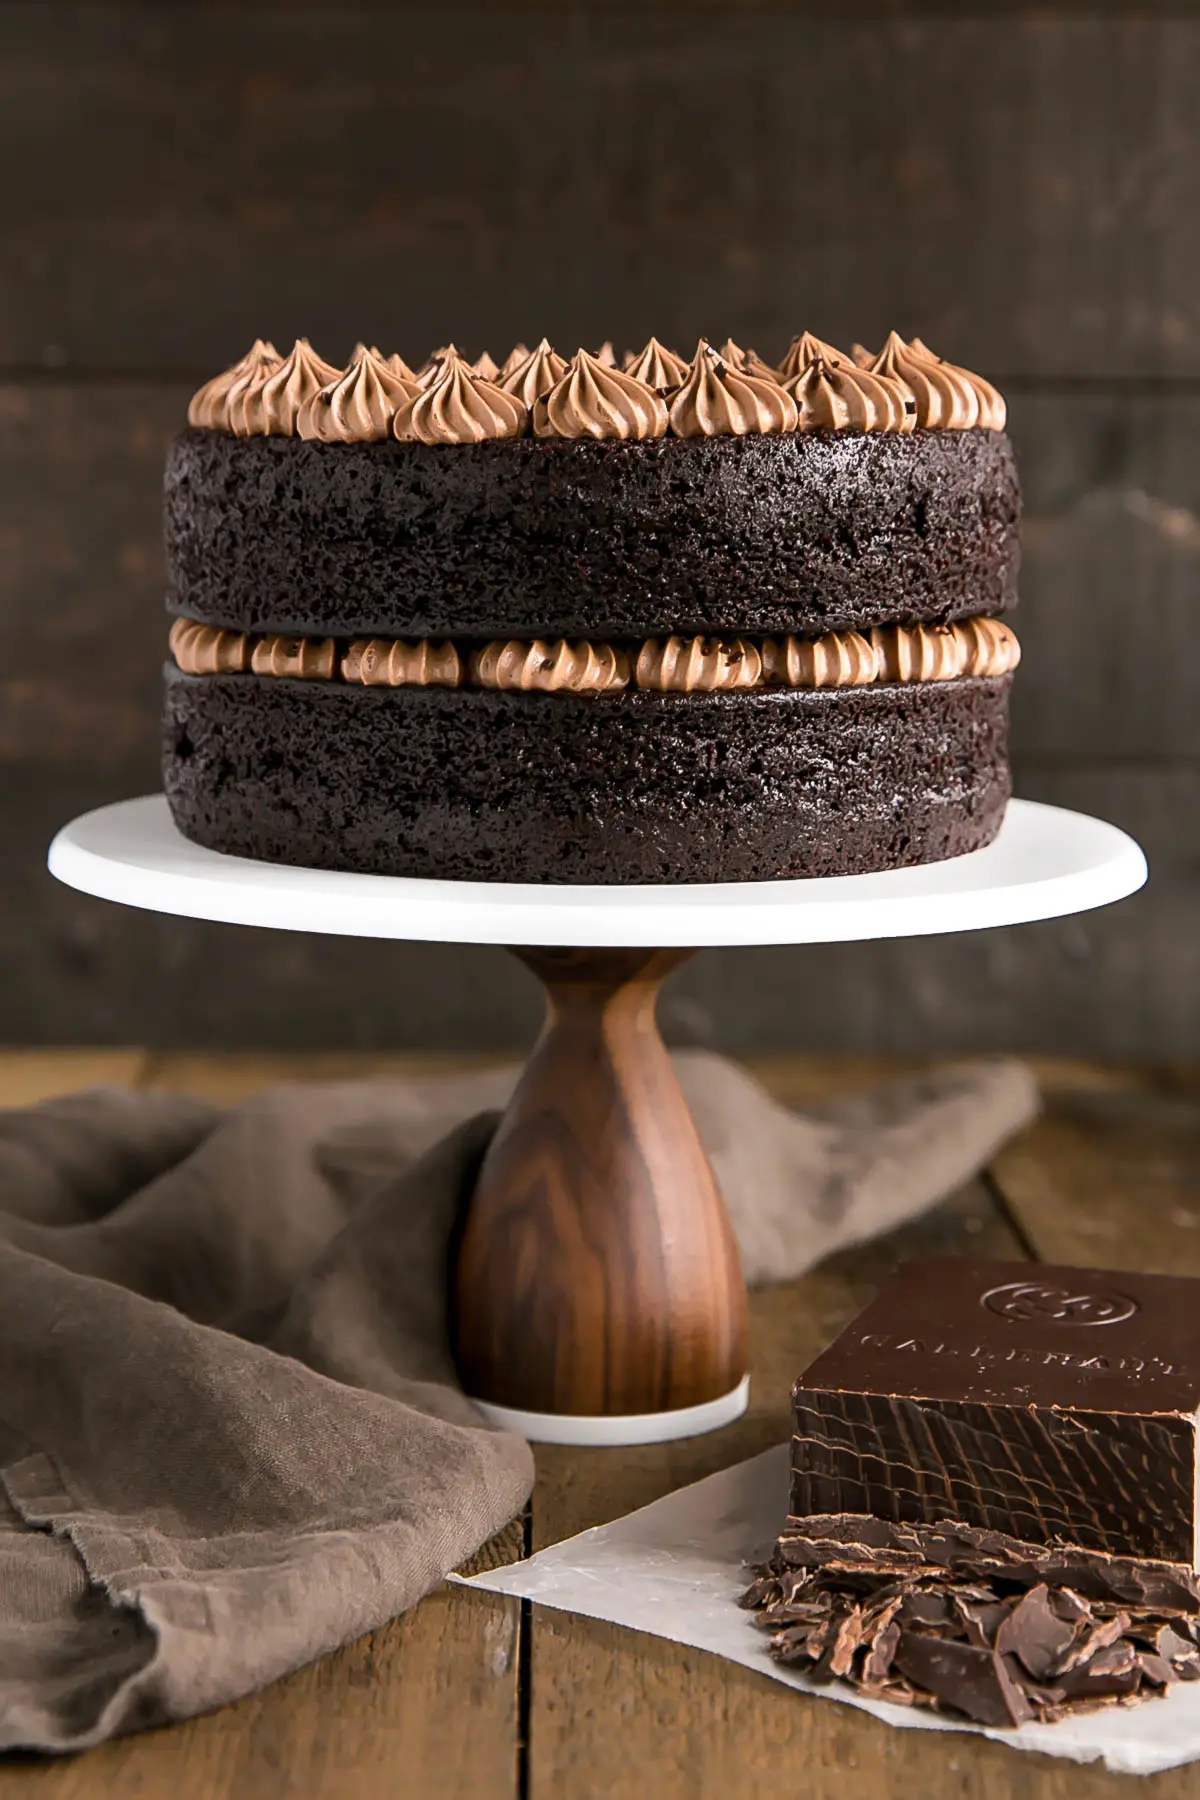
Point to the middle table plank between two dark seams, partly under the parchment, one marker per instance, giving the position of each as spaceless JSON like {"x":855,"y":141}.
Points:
{"x":665,"y":1720}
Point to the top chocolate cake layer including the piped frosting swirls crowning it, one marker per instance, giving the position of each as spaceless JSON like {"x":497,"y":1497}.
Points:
{"x":584,"y":501}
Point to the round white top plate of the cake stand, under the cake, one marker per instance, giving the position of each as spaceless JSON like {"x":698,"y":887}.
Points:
{"x":1044,"y":863}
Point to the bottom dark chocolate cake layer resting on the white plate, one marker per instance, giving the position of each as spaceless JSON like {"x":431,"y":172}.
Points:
{"x":631,"y":787}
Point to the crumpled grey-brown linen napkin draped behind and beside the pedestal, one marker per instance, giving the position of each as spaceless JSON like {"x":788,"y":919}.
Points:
{"x":231,"y":1430}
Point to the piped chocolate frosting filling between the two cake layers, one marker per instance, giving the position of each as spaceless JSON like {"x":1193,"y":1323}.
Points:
{"x":668,"y":665}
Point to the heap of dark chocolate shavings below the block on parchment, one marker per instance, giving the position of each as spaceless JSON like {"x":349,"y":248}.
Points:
{"x":972,"y":1623}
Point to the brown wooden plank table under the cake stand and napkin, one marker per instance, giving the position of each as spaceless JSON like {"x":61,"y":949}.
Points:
{"x":483,"y":1696}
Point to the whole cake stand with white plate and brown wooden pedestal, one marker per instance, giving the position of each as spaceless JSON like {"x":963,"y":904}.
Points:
{"x":598,"y":1291}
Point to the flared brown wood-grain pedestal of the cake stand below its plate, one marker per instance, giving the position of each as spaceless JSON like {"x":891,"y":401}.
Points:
{"x":598,"y":1273}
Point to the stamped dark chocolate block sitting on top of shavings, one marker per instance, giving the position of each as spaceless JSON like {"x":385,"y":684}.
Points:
{"x":1052,"y":1405}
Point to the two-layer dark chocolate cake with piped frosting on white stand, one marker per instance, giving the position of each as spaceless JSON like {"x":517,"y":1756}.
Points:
{"x":568,"y":622}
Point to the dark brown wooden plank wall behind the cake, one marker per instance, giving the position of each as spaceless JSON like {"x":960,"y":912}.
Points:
{"x":1023,"y":190}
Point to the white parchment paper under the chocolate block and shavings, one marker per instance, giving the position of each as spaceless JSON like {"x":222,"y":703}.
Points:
{"x":676,"y":1570}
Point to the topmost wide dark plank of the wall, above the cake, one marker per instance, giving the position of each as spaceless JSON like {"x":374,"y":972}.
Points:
{"x":1025,"y":215}
